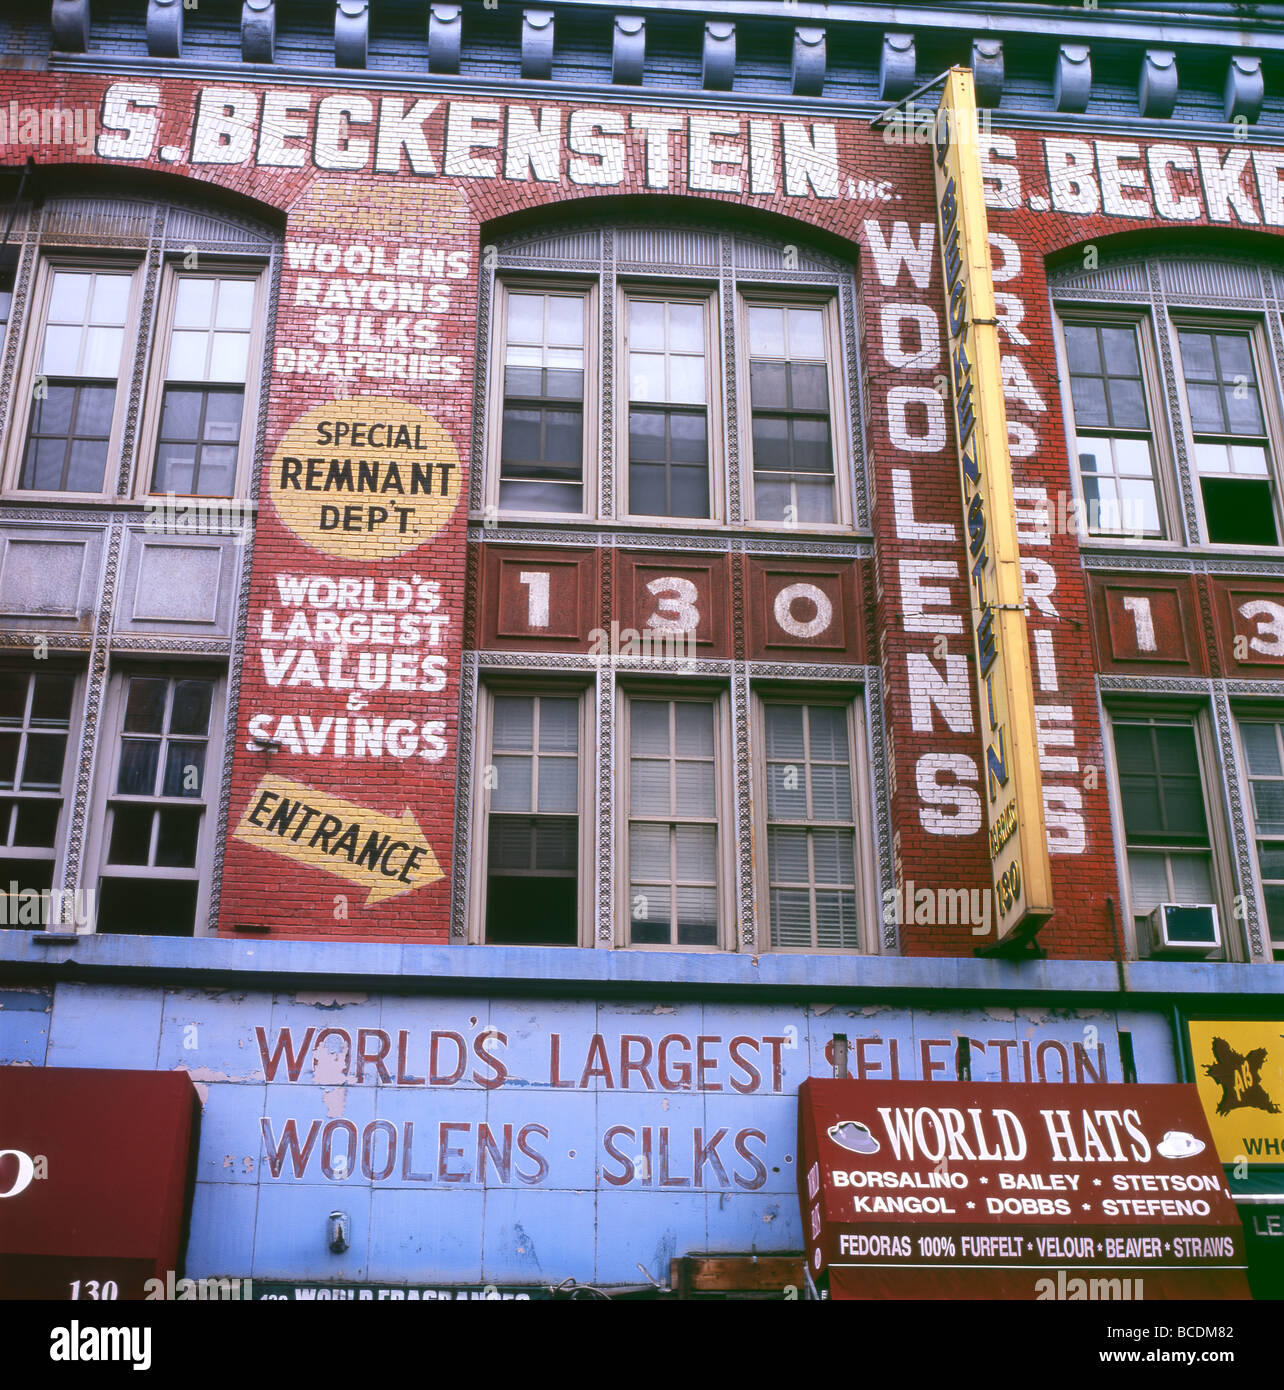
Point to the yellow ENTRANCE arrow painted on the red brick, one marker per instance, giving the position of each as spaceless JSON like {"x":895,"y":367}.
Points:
{"x":370,"y":850}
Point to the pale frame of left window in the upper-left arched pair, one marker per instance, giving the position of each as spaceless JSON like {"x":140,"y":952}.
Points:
{"x":49,"y":263}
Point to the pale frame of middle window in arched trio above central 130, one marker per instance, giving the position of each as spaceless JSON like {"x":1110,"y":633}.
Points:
{"x":709,"y":300}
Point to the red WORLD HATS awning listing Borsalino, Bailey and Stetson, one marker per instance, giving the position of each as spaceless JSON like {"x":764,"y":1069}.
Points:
{"x":960,"y":1191}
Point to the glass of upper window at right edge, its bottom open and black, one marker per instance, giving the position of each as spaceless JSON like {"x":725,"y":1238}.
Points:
{"x":1232,"y":450}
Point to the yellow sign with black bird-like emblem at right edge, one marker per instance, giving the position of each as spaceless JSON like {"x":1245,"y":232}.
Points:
{"x":1240,"y":1078}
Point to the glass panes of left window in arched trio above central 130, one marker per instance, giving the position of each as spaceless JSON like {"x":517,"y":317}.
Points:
{"x":543,"y":434}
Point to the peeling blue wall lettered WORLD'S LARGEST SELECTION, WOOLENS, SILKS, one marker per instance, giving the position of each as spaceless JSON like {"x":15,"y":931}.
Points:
{"x":516,"y":1142}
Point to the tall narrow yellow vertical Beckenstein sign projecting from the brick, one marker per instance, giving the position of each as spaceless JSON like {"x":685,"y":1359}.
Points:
{"x":1011,"y":760}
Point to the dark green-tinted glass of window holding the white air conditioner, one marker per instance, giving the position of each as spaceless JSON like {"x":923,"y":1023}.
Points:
{"x":1165,"y":824}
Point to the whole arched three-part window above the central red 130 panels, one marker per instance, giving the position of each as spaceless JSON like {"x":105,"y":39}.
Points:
{"x":668,"y":375}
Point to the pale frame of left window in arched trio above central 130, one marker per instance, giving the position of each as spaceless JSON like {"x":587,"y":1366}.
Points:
{"x":590,"y":290}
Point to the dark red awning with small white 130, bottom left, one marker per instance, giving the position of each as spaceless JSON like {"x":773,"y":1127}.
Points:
{"x":95,"y":1179}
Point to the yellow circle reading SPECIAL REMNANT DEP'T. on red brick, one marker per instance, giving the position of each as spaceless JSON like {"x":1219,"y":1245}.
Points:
{"x":366,"y":479}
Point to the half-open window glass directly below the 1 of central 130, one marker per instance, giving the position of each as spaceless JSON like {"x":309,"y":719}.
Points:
{"x":533,"y":828}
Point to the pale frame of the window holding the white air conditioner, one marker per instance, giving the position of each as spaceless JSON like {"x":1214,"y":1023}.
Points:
{"x":1200,"y":719}
